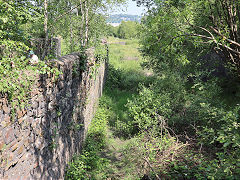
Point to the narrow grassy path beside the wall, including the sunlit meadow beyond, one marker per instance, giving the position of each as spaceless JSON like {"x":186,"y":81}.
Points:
{"x":123,"y":56}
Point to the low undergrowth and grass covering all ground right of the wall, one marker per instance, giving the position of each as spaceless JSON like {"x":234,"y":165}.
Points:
{"x":161,"y":127}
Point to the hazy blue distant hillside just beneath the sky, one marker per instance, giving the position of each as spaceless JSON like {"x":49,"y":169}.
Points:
{"x":118,"y":18}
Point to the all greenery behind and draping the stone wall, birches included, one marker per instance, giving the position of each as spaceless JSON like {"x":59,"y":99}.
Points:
{"x":27,"y":23}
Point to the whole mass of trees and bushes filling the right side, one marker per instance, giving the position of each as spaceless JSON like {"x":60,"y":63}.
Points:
{"x":192,"y":96}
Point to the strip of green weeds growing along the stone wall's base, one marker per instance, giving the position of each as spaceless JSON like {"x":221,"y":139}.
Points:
{"x":90,"y":163}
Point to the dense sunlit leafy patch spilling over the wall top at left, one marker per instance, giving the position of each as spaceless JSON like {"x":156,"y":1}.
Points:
{"x":17,"y":75}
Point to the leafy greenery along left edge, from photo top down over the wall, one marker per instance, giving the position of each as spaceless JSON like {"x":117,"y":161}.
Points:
{"x":17,"y":75}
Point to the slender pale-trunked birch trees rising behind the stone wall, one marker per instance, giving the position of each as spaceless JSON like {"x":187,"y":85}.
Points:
{"x":74,"y":20}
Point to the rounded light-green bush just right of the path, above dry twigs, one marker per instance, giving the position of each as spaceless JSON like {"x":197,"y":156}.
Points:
{"x":162,"y":99}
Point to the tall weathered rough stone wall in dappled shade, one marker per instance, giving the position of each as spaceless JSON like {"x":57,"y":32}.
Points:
{"x":41,"y":140}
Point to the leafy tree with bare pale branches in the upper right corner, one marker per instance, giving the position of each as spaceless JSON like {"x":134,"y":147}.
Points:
{"x":198,"y":23}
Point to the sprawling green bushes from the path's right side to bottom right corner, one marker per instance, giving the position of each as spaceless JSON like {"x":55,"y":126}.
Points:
{"x":194,"y":111}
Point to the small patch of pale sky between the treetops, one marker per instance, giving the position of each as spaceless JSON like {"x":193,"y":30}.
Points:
{"x":130,"y":8}
